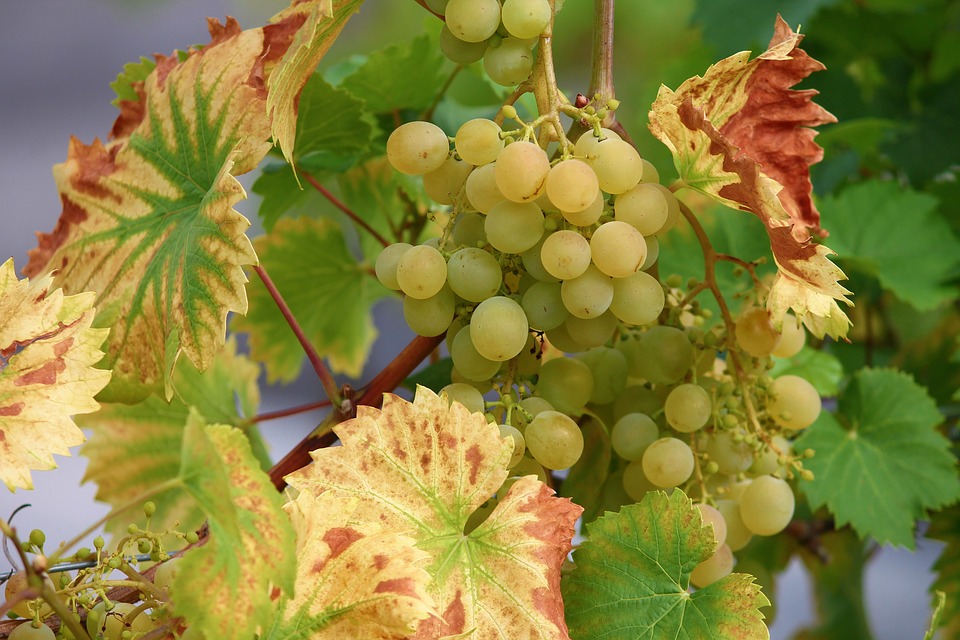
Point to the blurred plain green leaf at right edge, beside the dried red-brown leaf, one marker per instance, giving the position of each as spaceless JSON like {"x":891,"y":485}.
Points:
{"x":880,"y":228}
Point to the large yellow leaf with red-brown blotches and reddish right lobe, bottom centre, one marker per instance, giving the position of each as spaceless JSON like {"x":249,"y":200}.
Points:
{"x":423,"y":468}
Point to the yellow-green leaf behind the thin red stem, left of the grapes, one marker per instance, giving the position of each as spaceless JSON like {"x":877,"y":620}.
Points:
{"x":328,"y":291}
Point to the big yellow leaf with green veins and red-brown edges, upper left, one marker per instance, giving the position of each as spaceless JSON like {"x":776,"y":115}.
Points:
{"x":148,"y":220}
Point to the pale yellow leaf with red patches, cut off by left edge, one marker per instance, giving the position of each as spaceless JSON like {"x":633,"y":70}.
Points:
{"x":47,"y":353}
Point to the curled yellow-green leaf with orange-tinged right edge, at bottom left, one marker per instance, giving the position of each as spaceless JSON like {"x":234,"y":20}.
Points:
{"x":226,"y":586}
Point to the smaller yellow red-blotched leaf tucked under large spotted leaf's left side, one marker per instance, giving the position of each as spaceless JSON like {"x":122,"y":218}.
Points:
{"x":354,"y":579}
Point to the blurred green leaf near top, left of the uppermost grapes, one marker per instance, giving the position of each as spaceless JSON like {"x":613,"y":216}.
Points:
{"x":401,"y":76}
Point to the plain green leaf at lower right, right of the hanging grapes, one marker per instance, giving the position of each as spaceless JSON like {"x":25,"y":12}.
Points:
{"x":880,"y":463}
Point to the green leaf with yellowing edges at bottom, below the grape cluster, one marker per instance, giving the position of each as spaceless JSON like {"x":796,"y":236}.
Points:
{"x":632,"y":573}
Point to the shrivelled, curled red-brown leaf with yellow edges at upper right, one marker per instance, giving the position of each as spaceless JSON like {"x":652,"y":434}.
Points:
{"x":740,"y":135}
